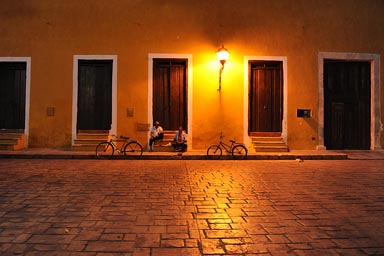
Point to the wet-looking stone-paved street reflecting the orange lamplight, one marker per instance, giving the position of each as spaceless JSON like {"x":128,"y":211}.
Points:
{"x":181,"y":207}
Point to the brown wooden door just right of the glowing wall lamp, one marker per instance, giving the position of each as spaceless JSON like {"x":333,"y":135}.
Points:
{"x":265,"y":96}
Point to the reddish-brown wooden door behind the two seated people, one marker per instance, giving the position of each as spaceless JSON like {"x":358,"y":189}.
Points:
{"x":170,"y":99}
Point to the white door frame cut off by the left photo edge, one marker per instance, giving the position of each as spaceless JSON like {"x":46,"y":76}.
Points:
{"x":27,"y":60}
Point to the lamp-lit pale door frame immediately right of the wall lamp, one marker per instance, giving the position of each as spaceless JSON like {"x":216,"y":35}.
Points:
{"x":247,"y":59}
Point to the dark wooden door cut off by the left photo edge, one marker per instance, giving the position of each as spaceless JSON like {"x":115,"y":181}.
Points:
{"x":12,"y":95}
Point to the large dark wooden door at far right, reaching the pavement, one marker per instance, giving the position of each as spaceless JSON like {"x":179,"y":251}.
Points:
{"x":347,"y":108}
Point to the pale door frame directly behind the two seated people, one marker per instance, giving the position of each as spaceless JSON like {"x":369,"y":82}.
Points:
{"x":152,"y":56}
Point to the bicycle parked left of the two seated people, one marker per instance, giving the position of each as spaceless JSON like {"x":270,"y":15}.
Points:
{"x":129,"y":147}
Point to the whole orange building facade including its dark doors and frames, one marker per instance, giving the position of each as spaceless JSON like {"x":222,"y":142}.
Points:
{"x":306,"y":71}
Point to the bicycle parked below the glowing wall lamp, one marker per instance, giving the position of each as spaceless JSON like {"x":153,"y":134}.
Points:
{"x":237,"y":150}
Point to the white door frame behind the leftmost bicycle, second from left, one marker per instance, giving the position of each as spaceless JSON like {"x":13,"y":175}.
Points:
{"x":76,"y":59}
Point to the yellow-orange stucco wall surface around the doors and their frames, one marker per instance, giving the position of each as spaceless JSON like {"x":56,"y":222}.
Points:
{"x":51,"y":32}
